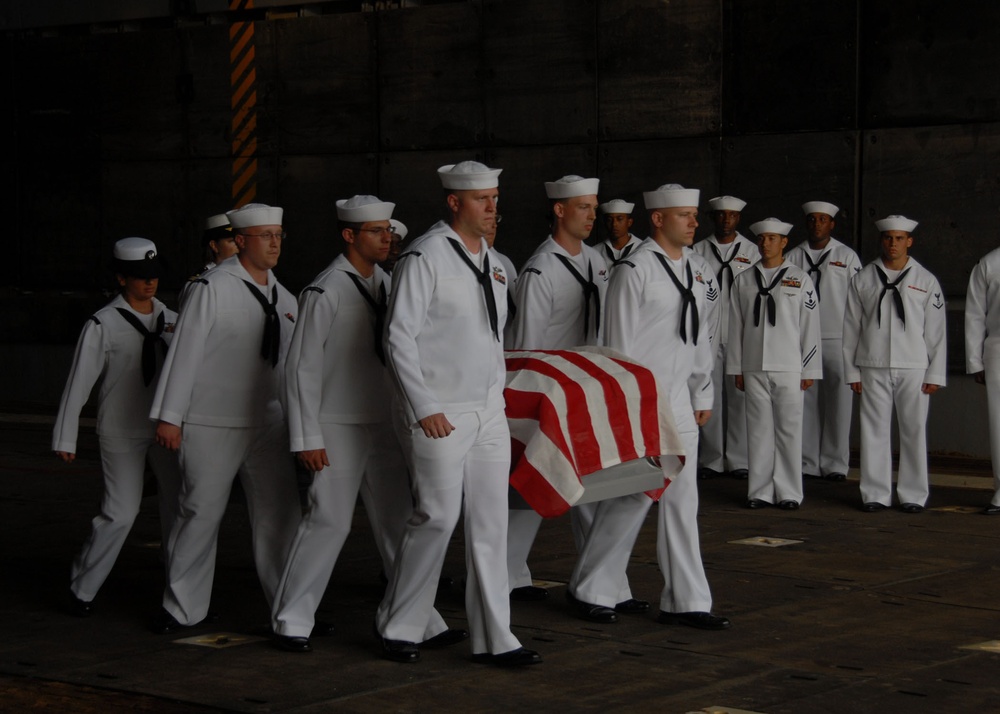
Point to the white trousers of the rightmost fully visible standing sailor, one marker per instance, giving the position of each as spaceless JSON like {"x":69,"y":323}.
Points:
{"x":880,"y":390}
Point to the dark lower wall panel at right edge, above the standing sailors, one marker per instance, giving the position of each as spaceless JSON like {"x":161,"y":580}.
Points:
{"x":948,"y":179}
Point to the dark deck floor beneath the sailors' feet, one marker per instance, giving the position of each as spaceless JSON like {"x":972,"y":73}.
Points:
{"x":865,"y":613}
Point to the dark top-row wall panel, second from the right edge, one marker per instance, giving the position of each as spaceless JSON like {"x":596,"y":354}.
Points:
{"x":789,"y":66}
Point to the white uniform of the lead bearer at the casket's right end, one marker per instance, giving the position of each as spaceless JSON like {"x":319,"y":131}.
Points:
{"x":650,"y":320}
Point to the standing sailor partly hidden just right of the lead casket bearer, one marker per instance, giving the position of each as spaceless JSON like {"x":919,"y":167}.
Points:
{"x":729,"y":253}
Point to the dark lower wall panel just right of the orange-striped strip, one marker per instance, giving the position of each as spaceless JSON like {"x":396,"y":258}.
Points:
{"x":310,"y":187}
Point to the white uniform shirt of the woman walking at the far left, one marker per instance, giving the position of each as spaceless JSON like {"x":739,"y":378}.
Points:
{"x":110,"y":349}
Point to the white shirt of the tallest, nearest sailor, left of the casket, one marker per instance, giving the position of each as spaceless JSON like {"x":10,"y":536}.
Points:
{"x":440,"y":347}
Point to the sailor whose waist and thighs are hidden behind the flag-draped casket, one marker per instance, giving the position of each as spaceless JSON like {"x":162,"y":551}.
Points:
{"x":559,"y":300}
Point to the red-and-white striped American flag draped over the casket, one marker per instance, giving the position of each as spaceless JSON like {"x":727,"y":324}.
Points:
{"x":574,"y":412}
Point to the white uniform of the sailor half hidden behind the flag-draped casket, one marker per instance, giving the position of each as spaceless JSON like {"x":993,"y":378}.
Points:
{"x":559,"y":300}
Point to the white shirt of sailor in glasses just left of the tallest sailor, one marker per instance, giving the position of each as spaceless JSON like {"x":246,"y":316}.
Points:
{"x":332,"y":373}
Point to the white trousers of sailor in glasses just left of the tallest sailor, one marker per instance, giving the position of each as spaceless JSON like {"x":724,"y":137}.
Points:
{"x":358,"y":454}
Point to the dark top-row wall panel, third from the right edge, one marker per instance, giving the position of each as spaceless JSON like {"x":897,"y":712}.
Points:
{"x":659,"y":68}
